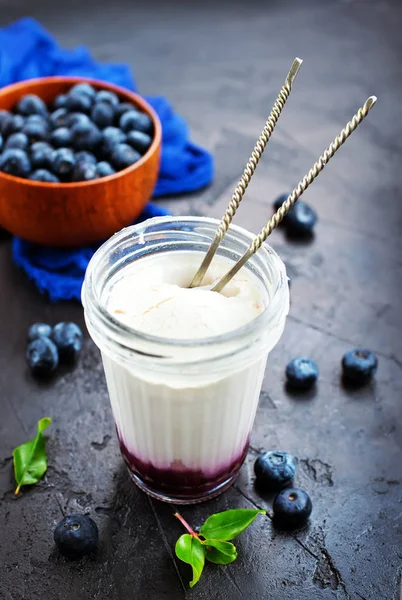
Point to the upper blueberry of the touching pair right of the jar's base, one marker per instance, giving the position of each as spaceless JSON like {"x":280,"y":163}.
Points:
{"x":274,"y":470}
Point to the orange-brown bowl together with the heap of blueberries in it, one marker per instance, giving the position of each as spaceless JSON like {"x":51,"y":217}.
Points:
{"x":79,"y":159}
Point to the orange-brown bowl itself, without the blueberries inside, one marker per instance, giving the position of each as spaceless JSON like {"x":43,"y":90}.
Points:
{"x":73,"y":214}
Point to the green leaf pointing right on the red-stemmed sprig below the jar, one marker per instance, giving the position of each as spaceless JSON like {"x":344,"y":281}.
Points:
{"x":229,"y":524}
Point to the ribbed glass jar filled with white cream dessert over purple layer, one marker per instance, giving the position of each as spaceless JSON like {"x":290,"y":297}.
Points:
{"x":184,"y":367}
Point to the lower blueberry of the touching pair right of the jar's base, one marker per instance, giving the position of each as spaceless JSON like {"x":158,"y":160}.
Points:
{"x":292,"y":507}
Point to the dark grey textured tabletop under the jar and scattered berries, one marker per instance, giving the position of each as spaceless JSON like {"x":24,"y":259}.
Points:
{"x":222,"y":66}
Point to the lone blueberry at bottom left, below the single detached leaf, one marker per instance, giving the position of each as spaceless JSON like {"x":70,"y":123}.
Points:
{"x":76,"y":535}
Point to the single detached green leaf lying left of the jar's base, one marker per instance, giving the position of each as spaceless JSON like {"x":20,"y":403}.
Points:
{"x":30,"y":462}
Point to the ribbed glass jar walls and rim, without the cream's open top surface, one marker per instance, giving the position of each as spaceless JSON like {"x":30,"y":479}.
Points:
{"x":183,"y":409}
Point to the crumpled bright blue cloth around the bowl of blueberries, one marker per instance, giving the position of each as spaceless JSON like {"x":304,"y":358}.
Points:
{"x":27,"y":50}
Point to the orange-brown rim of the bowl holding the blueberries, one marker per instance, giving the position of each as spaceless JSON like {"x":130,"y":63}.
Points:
{"x":98,"y":83}
